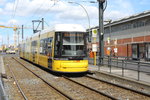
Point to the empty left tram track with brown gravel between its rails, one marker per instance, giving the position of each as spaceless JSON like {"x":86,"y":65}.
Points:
{"x":43,"y":90}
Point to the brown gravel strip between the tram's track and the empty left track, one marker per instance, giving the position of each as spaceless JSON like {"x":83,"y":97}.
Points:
{"x":78,"y":92}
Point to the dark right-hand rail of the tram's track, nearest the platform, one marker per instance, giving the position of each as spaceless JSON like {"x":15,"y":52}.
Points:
{"x":130,"y":89}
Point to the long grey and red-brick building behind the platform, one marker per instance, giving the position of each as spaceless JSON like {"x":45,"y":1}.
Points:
{"x":128,"y":37}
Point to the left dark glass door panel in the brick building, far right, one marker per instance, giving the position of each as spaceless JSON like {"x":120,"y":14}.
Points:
{"x":135,"y":51}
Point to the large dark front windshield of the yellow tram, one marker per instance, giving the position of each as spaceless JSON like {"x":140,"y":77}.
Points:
{"x":71,"y":44}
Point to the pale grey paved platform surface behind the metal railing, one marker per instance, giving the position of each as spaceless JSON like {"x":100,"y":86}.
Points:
{"x":144,"y":77}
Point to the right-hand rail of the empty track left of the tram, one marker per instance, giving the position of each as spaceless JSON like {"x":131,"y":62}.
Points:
{"x":54,"y":87}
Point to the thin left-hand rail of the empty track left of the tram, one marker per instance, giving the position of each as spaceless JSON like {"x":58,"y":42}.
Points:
{"x":22,"y":93}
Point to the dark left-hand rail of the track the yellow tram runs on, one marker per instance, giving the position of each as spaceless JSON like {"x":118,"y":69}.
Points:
{"x":101,"y":93}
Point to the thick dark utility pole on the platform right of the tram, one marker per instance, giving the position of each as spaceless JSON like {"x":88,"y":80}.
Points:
{"x":101,"y":31}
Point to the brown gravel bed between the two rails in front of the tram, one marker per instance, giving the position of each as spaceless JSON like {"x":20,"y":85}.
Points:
{"x":113,"y":90}
